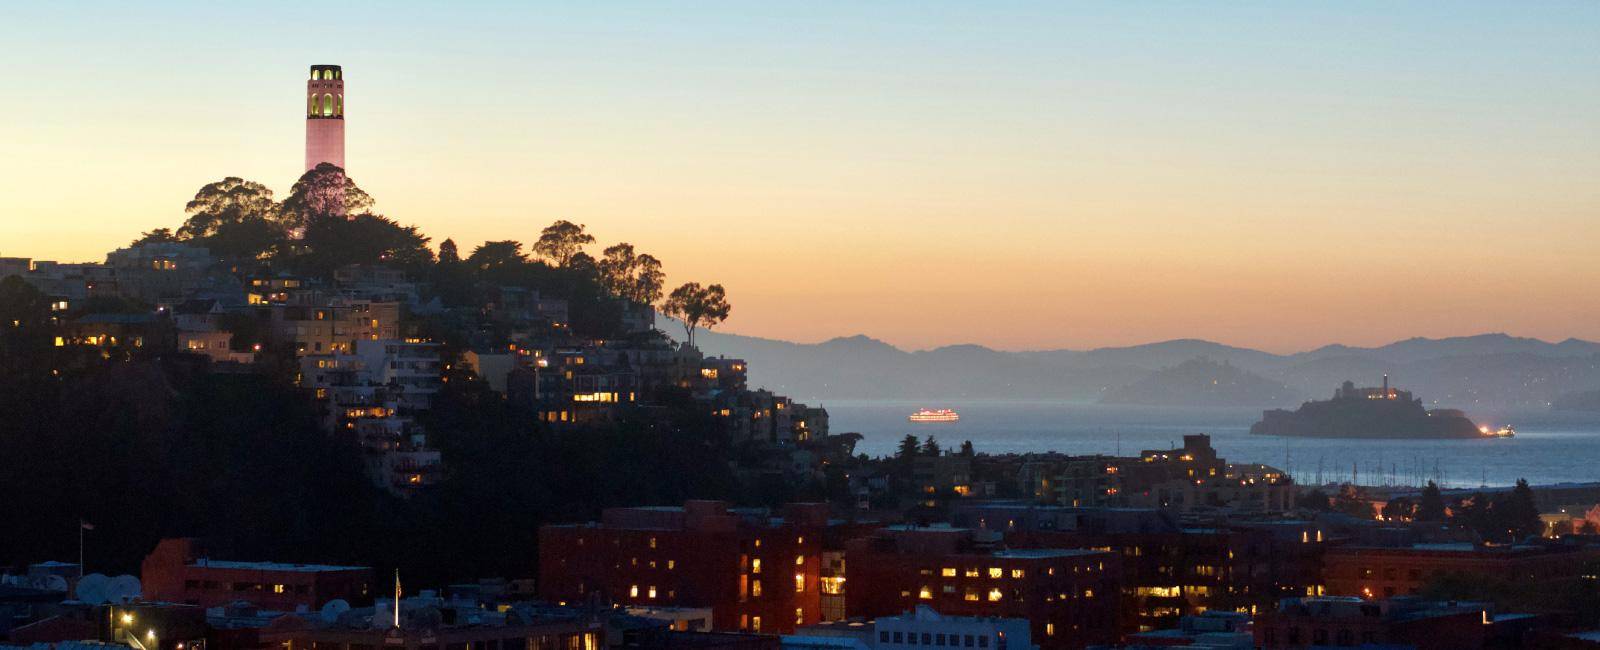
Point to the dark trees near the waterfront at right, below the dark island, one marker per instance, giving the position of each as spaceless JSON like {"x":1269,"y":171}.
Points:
{"x":1505,"y":518}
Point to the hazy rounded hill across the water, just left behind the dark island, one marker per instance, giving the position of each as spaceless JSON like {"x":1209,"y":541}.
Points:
{"x":1204,"y":383}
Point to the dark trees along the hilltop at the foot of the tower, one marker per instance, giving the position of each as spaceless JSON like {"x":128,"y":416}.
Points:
{"x":327,"y":222}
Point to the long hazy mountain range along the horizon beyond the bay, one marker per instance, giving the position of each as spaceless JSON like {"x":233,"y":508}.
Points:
{"x":1465,"y":372}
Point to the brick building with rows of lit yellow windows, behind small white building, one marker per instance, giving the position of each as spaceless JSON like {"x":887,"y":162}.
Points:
{"x":1070,"y":596}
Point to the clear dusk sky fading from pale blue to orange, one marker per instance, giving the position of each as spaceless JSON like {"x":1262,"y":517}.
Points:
{"x":1009,"y":174}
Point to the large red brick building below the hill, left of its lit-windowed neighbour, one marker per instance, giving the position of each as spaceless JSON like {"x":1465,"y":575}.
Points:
{"x":756,"y":572}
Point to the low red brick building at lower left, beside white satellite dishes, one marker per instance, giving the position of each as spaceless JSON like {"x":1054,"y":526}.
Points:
{"x":178,"y":572}
